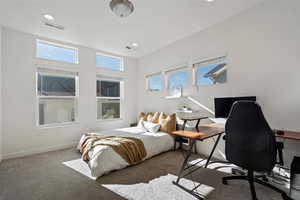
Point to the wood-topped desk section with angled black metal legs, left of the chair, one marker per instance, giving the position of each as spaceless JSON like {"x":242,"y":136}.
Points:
{"x":202,"y":133}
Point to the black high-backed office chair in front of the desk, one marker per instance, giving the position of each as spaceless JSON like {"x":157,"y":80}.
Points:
{"x":250,"y":144}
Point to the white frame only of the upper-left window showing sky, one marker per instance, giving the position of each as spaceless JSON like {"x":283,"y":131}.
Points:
{"x":59,"y":46}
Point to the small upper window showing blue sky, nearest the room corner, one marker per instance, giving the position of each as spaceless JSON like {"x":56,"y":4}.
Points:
{"x":109,"y":62}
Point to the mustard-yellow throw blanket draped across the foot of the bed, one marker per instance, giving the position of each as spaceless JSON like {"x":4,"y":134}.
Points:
{"x":132,"y":150}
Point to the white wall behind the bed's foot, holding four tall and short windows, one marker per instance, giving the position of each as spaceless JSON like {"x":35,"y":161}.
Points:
{"x":21,"y":136}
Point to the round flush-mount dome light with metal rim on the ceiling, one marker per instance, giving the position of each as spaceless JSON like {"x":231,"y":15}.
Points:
{"x":122,"y":8}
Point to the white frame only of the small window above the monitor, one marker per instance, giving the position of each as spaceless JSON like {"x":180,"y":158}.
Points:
{"x":204,"y":62}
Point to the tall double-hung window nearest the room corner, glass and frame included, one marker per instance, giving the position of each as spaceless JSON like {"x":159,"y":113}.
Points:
{"x":108,"y":99}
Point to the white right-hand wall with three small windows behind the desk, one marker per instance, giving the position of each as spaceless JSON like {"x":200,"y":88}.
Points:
{"x":263,"y":48}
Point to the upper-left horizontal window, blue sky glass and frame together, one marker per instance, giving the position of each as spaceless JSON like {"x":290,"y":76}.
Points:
{"x":57,"y":52}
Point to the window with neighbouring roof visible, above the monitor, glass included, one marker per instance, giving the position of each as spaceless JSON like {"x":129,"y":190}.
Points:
{"x":211,"y":72}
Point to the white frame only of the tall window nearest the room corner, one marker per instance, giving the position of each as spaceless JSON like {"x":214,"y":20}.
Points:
{"x":121,"y":98}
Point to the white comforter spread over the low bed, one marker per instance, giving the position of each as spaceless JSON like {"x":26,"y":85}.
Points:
{"x":104,"y":159}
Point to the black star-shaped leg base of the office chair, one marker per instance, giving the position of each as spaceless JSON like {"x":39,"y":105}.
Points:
{"x":251,"y":179}
